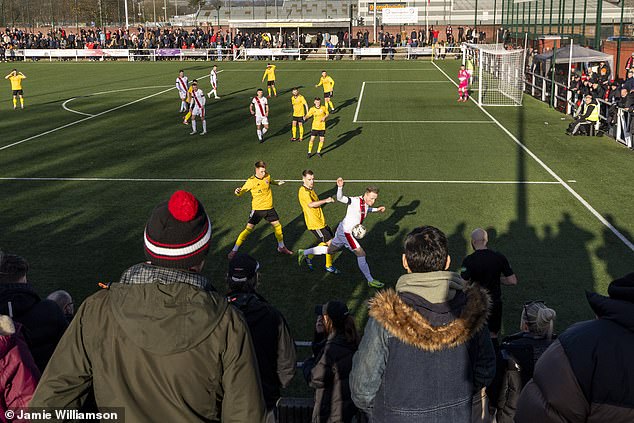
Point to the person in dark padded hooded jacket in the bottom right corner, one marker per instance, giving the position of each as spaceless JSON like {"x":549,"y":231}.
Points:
{"x":586,"y":374}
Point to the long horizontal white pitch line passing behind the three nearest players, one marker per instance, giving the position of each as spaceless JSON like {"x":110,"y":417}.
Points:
{"x":206,"y":180}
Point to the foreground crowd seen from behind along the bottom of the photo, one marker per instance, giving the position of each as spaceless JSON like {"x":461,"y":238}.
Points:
{"x":166,"y":345}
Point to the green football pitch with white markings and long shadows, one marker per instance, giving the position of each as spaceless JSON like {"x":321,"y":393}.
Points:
{"x":100,"y":144}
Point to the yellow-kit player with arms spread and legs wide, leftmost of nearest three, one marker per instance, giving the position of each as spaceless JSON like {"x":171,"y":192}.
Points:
{"x":261,"y":207}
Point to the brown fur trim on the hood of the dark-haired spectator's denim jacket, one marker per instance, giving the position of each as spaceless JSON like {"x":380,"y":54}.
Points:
{"x":407,"y":324}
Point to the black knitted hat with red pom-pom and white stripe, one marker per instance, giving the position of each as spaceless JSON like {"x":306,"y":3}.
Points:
{"x":178,"y":232}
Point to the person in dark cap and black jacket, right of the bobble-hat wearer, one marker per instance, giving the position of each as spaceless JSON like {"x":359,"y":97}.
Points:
{"x":274,"y":346}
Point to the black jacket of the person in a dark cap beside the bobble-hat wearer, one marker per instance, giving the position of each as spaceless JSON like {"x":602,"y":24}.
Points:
{"x":274,"y":346}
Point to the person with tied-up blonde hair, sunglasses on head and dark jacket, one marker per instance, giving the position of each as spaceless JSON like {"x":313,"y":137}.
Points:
{"x":518,"y":355}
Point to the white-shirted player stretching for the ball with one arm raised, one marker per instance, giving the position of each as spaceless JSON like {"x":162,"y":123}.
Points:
{"x":358,"y":208}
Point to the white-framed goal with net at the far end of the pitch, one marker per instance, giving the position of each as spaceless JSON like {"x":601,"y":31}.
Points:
{"x":498,"y":74}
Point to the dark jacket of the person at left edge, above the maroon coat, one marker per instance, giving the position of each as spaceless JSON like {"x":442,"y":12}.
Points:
{"x":42,"y":320}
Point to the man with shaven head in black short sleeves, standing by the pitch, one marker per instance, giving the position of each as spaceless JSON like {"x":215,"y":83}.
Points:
{"x":490,"y":269}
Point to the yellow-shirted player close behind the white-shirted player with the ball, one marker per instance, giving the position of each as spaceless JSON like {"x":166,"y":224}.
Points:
{"x":314,"y":217}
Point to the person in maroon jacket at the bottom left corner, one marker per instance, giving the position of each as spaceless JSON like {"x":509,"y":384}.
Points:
{"x":19,"y":375}
